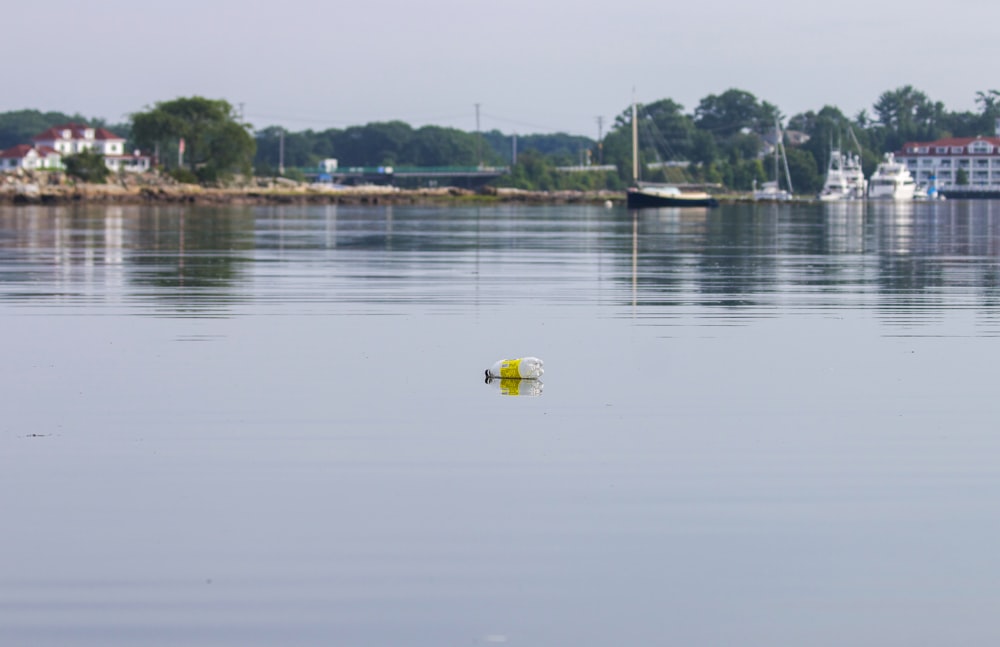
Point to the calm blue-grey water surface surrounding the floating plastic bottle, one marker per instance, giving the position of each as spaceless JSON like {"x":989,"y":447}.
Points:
{"x":758,"y":426}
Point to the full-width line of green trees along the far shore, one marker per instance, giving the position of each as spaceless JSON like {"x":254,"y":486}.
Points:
{"x":721,"y":141}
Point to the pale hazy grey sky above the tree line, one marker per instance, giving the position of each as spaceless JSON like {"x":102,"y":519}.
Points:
{"x":532,"y":65}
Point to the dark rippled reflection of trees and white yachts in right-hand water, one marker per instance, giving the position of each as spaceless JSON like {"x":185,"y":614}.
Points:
{"x":913,"y":256}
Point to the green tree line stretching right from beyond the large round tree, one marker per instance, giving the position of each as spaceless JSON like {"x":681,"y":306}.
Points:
{"x":721,"y":141}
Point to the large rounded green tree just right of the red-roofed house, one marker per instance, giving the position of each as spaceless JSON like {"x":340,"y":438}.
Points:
{"x":215,"y":142}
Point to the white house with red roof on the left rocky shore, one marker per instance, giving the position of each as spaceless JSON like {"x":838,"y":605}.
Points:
{"x":69,"y":139}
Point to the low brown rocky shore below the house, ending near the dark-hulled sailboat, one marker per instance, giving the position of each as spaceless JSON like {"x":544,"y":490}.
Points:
{"x":53,"y":189}
